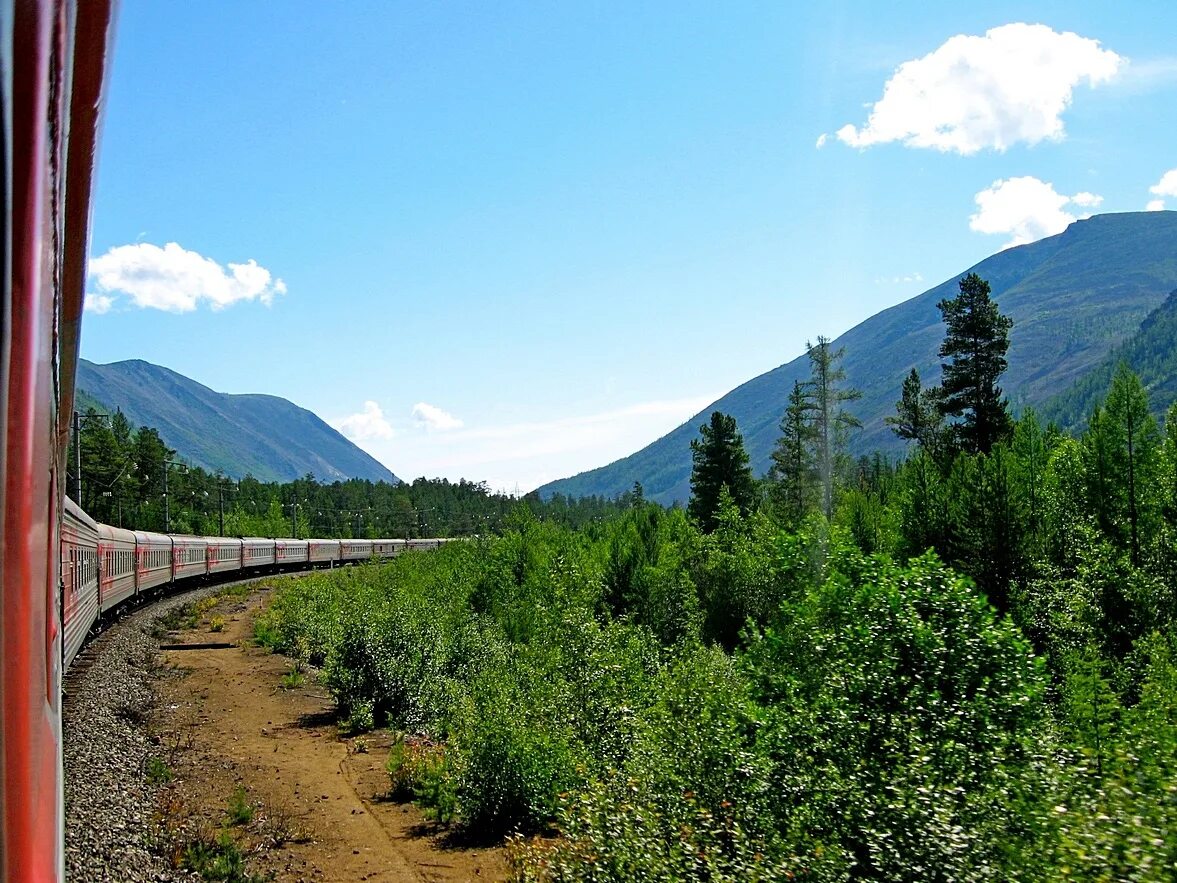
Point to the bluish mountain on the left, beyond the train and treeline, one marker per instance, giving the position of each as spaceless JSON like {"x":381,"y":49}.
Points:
{"x":264,"y":436}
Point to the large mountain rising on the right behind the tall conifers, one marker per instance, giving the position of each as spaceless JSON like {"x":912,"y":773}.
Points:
{"x":1074,"y":298}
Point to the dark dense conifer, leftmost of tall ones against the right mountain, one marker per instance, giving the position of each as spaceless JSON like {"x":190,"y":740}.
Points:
{"x":720,"y":461}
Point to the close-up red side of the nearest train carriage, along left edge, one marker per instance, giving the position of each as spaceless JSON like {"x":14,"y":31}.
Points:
{"x":54,"y":64}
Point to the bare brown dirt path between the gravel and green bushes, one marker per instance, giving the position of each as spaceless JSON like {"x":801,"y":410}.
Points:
{"x":228,"y":722}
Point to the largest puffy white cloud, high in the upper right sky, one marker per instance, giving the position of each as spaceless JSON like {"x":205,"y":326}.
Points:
{"x":975,"y":92}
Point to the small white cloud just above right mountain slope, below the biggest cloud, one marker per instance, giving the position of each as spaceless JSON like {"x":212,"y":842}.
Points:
{"x":1027,"y":209}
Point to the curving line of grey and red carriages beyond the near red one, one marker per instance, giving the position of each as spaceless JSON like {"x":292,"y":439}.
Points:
{"x":105,"y":570}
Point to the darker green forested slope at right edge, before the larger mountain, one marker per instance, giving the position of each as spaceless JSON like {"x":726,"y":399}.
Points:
{"x":1152,"y":353}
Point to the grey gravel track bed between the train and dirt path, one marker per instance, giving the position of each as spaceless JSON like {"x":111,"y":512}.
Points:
{"x":109,"y":802}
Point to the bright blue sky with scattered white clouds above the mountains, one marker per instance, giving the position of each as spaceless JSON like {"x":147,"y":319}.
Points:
{"x":515,"y":241}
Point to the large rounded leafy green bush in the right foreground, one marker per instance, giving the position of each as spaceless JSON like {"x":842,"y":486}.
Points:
{"x":906,"y":725}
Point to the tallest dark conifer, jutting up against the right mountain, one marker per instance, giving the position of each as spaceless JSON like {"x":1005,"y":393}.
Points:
{"x":975,"y":346}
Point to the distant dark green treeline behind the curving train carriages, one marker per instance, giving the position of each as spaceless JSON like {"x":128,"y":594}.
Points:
{"x":131,"y":479}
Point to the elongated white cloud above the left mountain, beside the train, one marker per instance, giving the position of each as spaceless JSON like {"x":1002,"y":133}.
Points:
{"x":177,"y":281}
